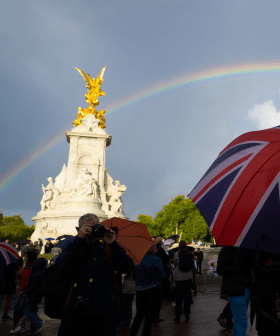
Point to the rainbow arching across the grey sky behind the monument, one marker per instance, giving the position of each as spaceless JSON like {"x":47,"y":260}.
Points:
{"x":185,"y":81}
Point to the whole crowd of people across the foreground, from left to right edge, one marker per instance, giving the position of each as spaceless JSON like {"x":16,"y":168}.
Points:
{"x":101,"y":282}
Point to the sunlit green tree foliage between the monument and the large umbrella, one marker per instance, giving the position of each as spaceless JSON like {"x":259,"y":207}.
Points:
{"x":181,"y":211}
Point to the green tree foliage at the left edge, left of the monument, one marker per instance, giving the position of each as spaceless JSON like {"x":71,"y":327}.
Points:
{"x":14,"y":228}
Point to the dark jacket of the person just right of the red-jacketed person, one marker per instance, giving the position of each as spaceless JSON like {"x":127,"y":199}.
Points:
{"x":31,"y":290}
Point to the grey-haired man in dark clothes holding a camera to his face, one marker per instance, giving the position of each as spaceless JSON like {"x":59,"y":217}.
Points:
{"x":89,"y":308}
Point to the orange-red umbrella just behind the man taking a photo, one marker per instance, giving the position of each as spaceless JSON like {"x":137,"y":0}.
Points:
{"x":133,"y":237}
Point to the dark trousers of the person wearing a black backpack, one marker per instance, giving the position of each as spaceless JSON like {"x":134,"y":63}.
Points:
{"x":183,"y":289}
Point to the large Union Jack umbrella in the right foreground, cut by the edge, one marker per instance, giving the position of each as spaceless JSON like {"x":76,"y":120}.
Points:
{"x":239,"y":194}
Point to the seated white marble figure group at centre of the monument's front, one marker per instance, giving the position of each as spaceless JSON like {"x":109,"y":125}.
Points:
{"x":85,"y":185}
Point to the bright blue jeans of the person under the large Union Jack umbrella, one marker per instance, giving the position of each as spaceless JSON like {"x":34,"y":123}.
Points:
{"x":239,"y":307}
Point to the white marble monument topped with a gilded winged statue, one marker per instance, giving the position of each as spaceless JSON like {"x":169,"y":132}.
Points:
{"x":84,"y":185}
